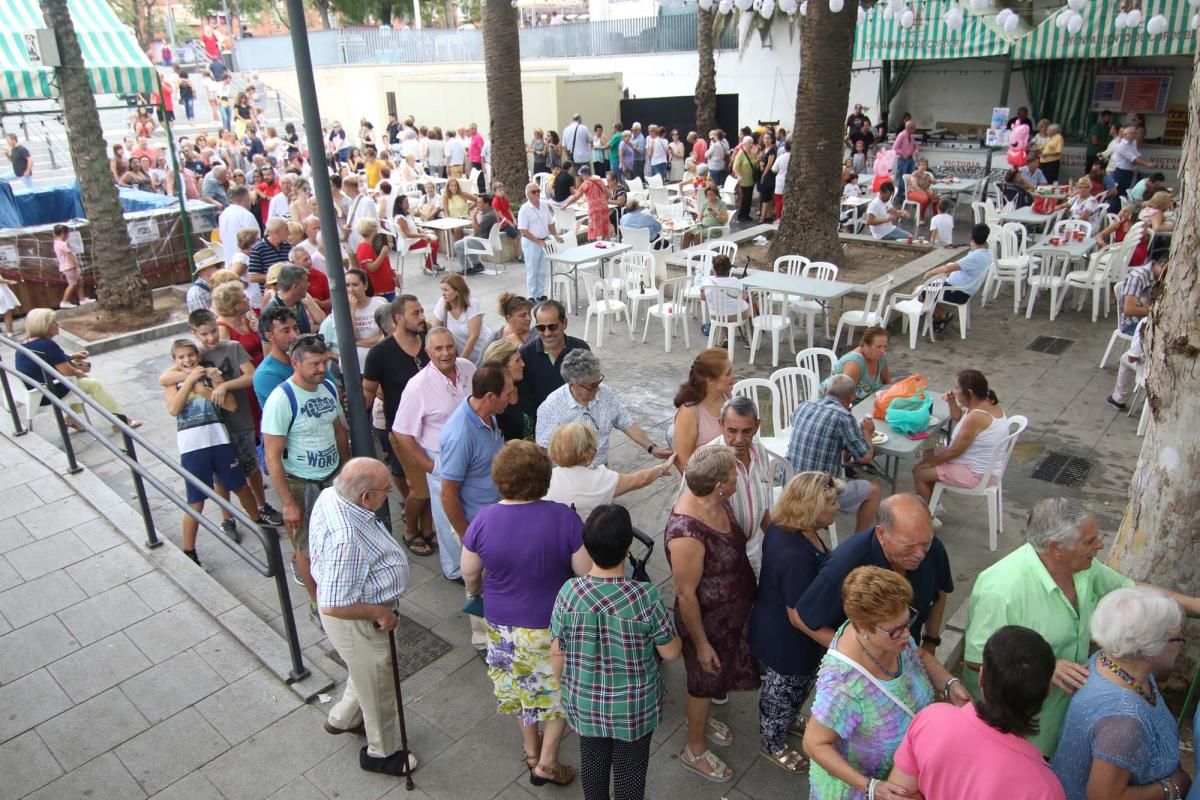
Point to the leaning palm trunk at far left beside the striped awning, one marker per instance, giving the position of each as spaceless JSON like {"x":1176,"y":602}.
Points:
{"x":123,"y":293}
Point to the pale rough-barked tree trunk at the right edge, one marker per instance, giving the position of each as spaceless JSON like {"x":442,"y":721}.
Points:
{"x":1159,"y":540}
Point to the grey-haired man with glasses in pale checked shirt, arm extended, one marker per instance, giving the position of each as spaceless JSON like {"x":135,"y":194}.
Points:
{"x":585,"y":399}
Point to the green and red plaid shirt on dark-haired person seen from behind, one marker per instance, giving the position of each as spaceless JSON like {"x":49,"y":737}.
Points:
{"x":611,"y":682}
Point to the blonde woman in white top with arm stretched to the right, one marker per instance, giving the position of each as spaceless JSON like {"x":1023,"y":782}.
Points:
{"x":573,"y":447}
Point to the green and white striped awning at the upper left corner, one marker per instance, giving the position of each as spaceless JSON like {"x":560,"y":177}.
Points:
{"x":115,"y":62}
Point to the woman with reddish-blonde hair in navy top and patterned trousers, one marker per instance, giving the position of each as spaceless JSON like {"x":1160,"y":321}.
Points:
{"x":793,"y":554}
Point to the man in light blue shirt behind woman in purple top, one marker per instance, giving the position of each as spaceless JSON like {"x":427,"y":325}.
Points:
{"x":470,"y":442}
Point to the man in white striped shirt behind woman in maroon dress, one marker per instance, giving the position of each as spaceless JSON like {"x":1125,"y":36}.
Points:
{"x":752,"y":503}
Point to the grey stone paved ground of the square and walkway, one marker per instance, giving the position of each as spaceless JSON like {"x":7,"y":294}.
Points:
{"x":116,"y":685}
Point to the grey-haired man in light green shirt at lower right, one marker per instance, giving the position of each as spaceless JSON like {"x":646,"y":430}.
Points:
{"x":1051,"y":585}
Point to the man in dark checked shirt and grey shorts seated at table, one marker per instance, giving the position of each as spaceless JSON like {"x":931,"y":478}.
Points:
{"x":825,"y":436}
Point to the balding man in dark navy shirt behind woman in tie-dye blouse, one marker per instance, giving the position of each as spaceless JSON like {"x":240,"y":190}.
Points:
{"x":903,"y":542}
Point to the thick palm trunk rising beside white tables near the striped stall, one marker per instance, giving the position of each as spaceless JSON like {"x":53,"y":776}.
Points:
{"x":814,"y":175}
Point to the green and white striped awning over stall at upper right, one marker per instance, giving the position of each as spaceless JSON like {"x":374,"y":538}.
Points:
{"x":931,"y":38}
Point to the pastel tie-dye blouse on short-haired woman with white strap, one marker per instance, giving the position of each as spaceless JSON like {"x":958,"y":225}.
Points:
{"x":869,"y":725}
